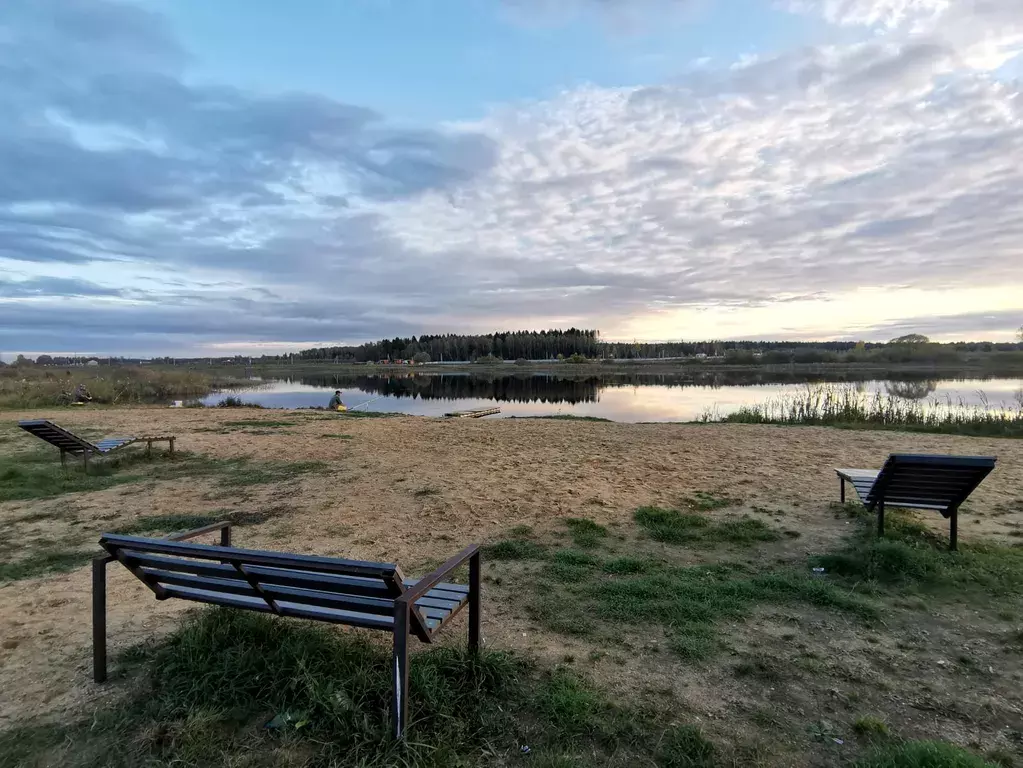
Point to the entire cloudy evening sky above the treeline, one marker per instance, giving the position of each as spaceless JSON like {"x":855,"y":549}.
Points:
{"x":186,"y":177}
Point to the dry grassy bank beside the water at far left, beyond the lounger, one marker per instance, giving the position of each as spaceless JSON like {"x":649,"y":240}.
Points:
{"x":32,"y":387}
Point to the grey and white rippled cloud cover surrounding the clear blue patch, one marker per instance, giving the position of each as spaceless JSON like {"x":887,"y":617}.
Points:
{"x":203,"y":216}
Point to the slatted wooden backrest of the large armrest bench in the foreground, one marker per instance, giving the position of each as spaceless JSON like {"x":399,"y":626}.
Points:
{"x":342,"y":592}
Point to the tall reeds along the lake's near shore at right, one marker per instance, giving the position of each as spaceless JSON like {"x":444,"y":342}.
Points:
{"x":847,"y":406}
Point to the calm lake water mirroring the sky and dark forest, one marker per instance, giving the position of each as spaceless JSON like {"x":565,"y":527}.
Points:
{"x":620,"y":398}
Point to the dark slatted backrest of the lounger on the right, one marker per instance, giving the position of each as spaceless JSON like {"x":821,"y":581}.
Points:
{"x":921,"y":480}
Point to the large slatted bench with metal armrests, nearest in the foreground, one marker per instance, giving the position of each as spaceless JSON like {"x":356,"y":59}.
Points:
{"x":358,"y":594}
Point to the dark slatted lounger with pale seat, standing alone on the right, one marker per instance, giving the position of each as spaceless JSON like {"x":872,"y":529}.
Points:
{"x":919,"y":482}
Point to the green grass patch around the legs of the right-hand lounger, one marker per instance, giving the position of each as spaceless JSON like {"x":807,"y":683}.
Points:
{"x":912,"y":556}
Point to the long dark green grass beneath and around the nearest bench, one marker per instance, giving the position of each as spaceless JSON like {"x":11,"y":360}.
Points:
{"x":205,"y":696}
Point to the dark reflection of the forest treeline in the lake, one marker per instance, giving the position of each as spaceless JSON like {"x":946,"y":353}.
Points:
{"x":576,"y":387}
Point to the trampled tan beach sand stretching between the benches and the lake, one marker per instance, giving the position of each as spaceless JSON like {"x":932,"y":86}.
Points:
{"x":415,"y":491}
